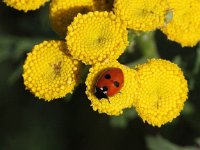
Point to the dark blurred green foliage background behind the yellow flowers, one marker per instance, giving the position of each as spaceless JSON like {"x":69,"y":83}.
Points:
{"x":27,"y":123}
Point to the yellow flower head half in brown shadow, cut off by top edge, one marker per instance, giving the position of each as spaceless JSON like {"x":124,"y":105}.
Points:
{"x":62,"y":13}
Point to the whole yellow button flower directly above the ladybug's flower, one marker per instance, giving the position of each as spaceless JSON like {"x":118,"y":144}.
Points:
{"x":96,"y":36}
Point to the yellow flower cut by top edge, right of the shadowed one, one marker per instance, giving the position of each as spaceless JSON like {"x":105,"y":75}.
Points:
{"x":142,"y":15}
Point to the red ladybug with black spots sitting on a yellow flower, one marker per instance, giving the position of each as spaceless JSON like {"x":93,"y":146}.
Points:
{"x":109,"y":83}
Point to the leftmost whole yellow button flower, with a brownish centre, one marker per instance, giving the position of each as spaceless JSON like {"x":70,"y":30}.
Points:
{"x":49,"y":72}
